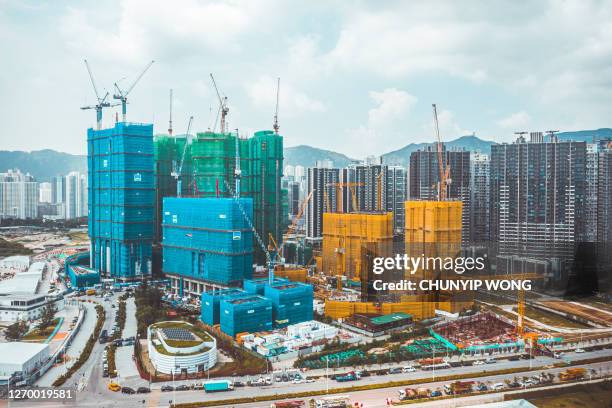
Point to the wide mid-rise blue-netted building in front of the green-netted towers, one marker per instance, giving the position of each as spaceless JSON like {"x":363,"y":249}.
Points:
{"x":207,"y":239}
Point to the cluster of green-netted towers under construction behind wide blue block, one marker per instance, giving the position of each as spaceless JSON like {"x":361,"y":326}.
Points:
{"x":208,"y":168}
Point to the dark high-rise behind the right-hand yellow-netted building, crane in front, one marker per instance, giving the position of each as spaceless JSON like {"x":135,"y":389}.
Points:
{"x":425,"y":179}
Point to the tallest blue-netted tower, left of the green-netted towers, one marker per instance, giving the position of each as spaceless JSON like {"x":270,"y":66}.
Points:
{"x":121,"y":199}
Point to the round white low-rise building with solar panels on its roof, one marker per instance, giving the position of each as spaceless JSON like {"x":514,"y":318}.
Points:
{"x":179,"y":347}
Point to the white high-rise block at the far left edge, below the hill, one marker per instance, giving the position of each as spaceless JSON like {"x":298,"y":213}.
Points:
{"x":18,"y":195}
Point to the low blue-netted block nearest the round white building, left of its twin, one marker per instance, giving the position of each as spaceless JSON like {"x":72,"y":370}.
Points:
{"x":246,"y":314}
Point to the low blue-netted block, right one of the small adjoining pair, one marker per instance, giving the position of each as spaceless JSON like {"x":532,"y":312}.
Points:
{"x":291,"y":302}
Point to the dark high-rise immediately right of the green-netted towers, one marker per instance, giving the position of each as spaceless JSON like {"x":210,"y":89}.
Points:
{"x":321,"y":182}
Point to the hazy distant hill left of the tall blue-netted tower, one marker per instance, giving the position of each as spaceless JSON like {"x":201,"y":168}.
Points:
{"x":42,"y":164}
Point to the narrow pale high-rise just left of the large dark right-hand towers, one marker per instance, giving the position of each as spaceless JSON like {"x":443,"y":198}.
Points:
{"x":479,"y":197}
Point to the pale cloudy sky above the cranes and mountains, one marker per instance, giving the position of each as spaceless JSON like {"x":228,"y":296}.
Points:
{"x":356,"y":77}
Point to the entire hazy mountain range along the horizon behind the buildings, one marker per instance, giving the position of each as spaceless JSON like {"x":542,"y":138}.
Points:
{"x":44,"y":164}
